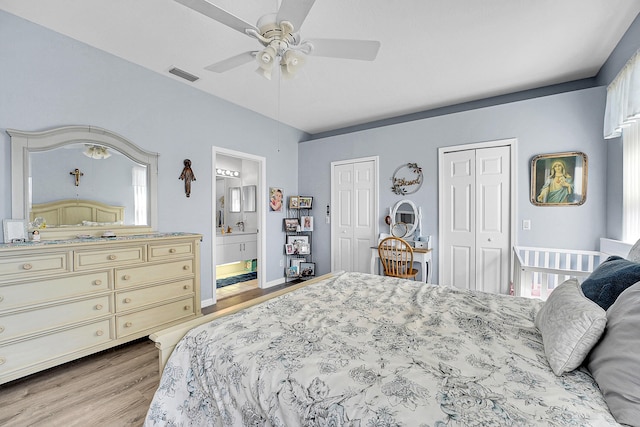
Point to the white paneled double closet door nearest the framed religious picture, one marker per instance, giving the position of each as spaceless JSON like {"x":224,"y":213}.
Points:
{"x":476,"y":218}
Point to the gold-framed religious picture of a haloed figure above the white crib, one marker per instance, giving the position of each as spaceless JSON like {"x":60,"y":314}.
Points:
{"x":559,"y":179}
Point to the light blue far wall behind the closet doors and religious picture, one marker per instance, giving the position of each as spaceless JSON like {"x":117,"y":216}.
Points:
{"x":564,"y":122}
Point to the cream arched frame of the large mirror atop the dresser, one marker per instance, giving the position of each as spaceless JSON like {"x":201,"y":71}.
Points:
{"x":23,"y":143}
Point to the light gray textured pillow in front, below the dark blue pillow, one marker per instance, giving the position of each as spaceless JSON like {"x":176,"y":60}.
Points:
{"x":570,"y":324}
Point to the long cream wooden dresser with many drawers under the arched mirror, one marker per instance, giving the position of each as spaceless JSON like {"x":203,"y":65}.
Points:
{"x":61,"y":300}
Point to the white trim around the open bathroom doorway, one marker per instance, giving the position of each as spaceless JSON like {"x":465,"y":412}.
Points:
{"x":260,"y":209}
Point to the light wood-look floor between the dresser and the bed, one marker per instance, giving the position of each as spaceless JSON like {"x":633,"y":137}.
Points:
{"x":111,"y":388}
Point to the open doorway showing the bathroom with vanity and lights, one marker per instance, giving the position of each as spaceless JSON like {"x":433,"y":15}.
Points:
{"x":239,"y":220}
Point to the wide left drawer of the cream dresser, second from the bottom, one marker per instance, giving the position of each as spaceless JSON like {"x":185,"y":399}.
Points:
{"x":32,"y":321}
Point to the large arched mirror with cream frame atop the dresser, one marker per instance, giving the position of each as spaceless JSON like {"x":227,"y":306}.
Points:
{"x":82,"y":180}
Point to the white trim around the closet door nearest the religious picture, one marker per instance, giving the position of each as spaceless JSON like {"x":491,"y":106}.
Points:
{"x":512,"y":144}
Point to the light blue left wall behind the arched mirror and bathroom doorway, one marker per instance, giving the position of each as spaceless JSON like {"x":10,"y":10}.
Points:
{"x":48,"y":80}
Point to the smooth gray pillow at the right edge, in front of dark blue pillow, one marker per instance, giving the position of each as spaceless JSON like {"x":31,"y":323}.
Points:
{"x":615,"y":361}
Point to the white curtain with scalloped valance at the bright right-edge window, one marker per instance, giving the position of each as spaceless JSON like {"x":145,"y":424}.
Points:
{"x":622,"y":118}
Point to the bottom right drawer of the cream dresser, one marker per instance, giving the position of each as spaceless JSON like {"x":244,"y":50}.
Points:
{"x":155,"y":317}
